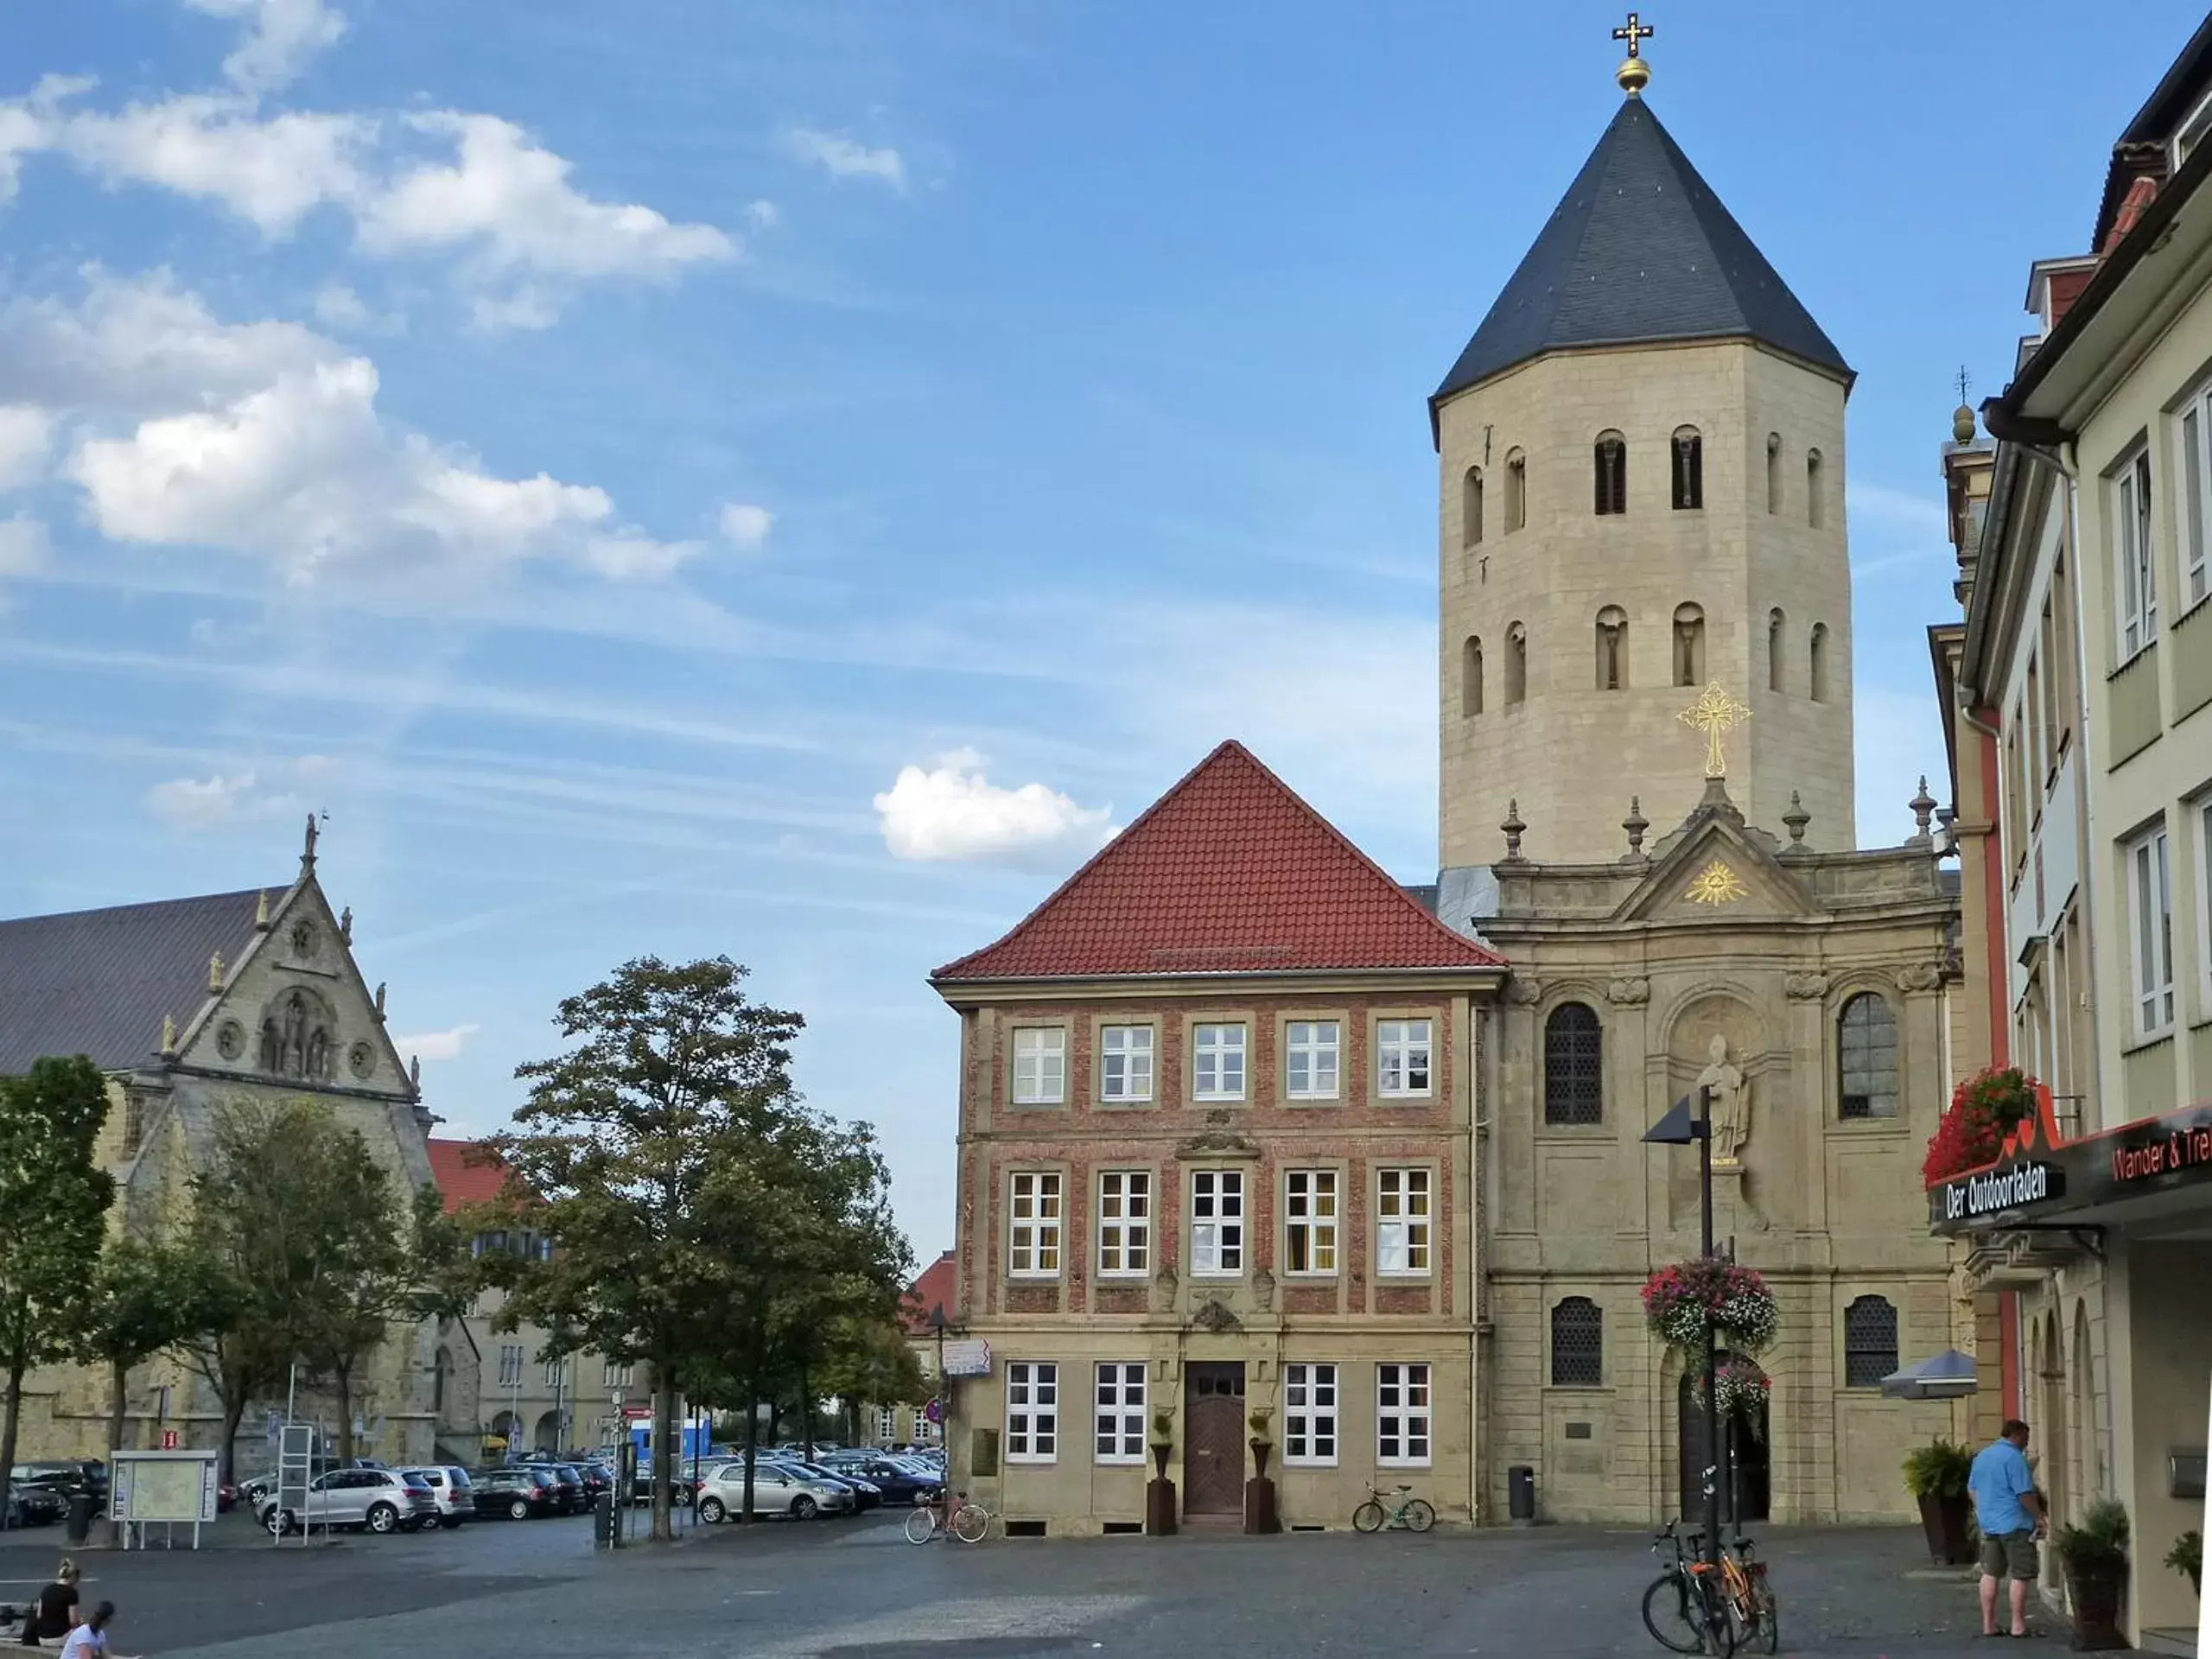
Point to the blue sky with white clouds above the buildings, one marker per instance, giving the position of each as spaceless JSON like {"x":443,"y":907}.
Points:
{"x":784,"y":479}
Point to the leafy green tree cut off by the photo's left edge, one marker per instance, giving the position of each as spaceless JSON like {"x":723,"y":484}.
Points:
{"x":54,"y":1204}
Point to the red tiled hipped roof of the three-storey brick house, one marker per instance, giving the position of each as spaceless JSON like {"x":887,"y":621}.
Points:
{"x":1229,"y":873}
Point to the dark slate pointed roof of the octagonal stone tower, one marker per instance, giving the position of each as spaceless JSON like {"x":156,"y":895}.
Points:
{"x":1640,"y":249}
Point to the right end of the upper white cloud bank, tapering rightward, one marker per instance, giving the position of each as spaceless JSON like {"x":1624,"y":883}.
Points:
{"x":510,"y":202}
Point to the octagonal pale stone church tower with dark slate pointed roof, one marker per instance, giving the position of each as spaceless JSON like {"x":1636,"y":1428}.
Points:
{"x":1642,"y":494}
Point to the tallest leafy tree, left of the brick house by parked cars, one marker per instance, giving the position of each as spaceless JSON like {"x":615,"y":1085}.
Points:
{"x":623,"y":1158}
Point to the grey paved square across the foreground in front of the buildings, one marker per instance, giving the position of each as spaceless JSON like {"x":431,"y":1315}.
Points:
{"x":859,"y":1592}
